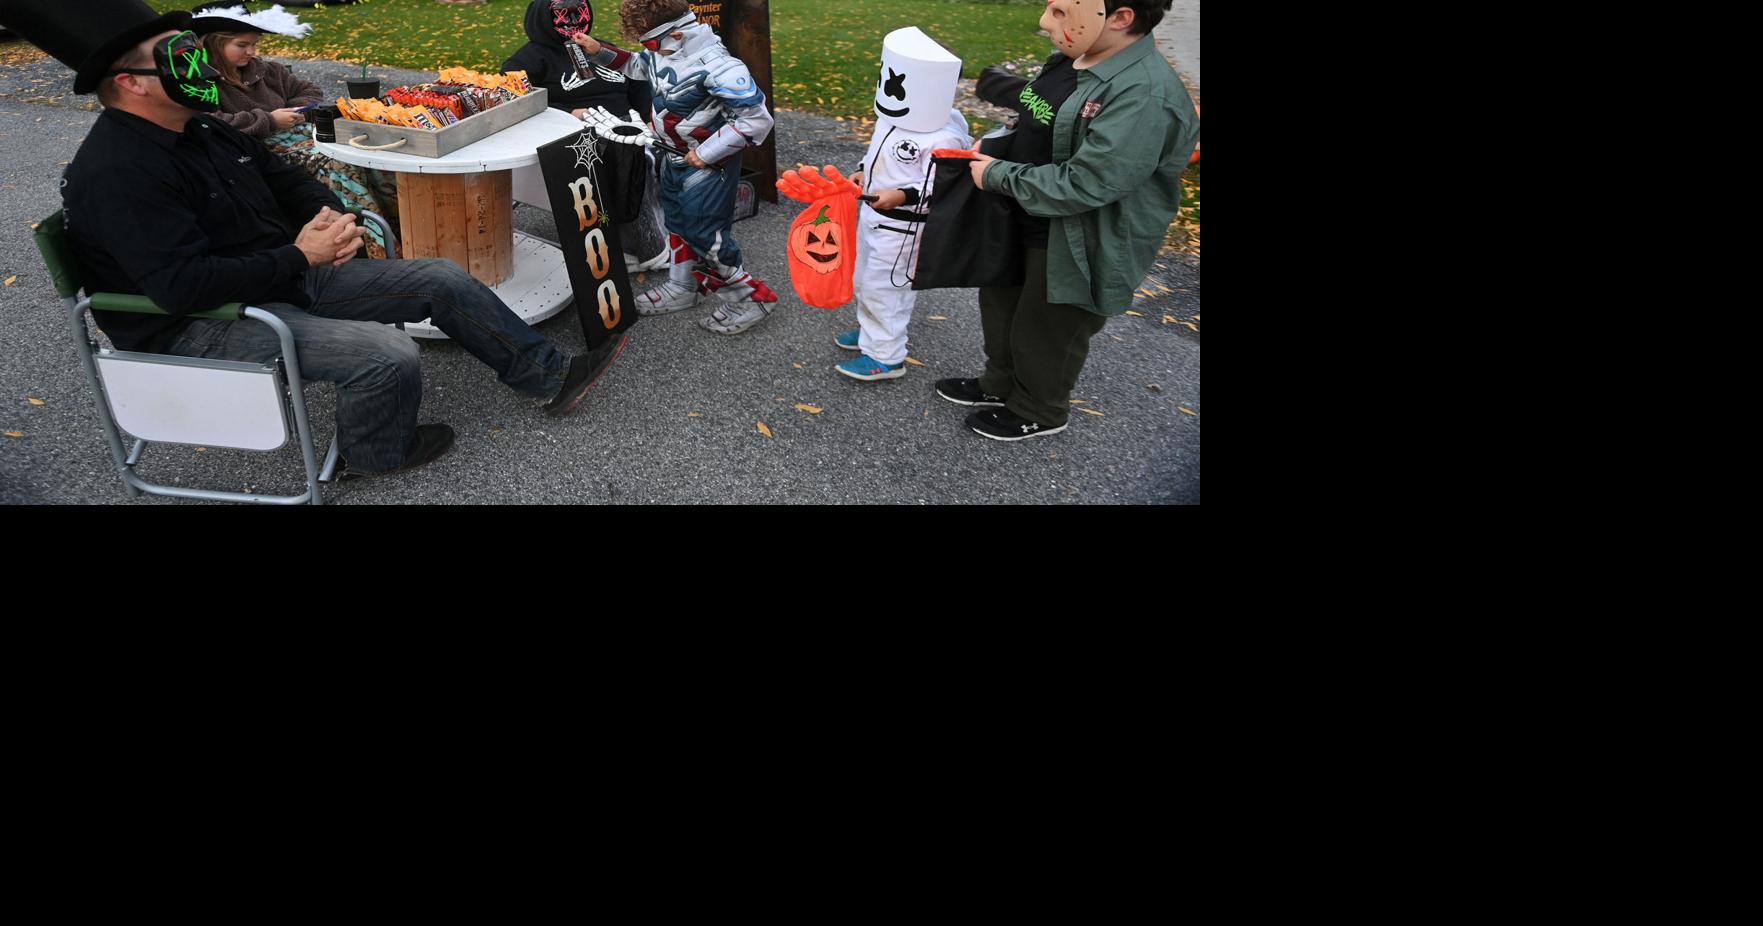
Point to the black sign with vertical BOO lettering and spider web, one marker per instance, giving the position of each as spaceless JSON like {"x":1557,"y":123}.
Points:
{"x":579,"y":175}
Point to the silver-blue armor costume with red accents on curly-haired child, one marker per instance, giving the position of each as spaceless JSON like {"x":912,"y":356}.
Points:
{"x":704,"y":101}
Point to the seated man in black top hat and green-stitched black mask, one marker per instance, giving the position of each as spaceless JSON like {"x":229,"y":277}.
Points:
{"x":175,"y":205}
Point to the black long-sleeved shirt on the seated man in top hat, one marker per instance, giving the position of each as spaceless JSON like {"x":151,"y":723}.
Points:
{"x":190,"y":220}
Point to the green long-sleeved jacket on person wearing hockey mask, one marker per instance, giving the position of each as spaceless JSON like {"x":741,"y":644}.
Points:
{"x":1115,"y":183}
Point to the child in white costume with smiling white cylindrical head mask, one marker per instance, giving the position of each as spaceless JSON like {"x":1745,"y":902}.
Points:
{"x":914,"y":117}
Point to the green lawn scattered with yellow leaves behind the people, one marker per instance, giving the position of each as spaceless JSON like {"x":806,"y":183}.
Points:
{"x":826,"y":54}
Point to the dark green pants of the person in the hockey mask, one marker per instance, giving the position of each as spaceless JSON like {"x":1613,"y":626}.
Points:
{"x":1034,"y":350}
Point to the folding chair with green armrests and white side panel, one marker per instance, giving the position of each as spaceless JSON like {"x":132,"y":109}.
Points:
{"x":190,"y":401}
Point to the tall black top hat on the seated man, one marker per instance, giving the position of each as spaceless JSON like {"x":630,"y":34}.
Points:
{"x":87,"y":36}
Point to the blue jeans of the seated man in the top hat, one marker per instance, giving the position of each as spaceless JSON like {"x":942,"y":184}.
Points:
{"x":348,"y":340}
